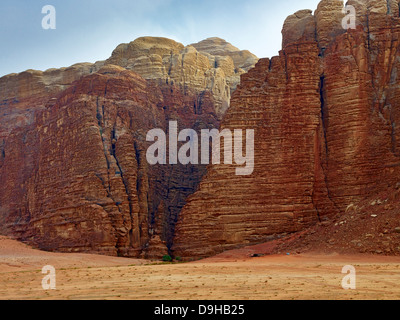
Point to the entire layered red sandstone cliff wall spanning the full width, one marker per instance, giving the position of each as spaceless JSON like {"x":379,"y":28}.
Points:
{"x":325,"y":113}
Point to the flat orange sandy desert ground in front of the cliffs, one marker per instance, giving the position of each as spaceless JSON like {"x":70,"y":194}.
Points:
{"x":232,"y":275}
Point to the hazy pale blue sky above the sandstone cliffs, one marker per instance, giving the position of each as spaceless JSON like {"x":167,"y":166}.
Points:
{"x":89,"y":30}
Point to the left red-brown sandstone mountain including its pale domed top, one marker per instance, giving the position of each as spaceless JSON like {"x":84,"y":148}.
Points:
{"x":73,"y":147}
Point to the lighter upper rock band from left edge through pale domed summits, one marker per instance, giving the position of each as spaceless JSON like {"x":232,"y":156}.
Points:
{"x":161,"y":60}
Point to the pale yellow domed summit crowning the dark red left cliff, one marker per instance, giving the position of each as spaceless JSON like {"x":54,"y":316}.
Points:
{"x":212,"y":65}
